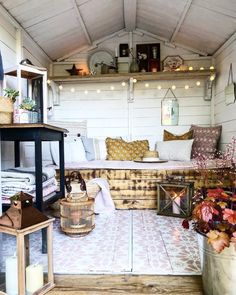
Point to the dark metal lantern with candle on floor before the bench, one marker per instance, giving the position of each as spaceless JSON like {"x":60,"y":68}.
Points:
{"x":174,"y":198}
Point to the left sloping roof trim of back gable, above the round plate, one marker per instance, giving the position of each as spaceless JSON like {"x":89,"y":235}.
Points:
{"x":94,"y":45}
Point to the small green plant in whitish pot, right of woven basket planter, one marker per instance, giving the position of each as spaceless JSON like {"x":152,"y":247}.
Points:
{"x":28,"y":111}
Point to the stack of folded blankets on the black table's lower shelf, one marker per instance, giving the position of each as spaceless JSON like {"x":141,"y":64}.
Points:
{"x":23,"y":179}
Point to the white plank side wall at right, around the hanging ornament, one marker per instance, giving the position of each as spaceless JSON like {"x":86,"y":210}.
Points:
{"x":225,"y":114}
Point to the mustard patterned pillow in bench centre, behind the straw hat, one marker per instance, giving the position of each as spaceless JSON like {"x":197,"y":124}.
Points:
{"x":120,"y":150}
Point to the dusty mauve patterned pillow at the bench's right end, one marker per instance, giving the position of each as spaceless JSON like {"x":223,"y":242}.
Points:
{"x":206,"y":140}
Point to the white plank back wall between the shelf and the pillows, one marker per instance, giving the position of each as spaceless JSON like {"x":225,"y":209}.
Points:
{"x":108,"y":112}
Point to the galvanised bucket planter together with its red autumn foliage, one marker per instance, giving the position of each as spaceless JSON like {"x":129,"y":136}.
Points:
{"x":214,"y":219}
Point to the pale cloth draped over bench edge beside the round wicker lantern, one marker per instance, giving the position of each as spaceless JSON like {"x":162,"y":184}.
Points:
{"x":103,"y":202}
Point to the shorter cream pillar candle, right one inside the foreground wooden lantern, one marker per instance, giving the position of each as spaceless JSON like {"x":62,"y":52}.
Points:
{"x":34,"y":278}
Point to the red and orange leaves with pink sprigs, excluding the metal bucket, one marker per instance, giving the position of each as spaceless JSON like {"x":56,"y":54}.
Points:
{"x":214,"y":209}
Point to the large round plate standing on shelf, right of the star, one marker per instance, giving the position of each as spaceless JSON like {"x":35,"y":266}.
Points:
{"x":101,"y":56}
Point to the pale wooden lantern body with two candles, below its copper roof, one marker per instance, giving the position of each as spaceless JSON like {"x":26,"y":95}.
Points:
{"x":21,"y":277}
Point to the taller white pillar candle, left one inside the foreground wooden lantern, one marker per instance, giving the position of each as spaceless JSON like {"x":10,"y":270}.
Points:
{"x":11,"y":275}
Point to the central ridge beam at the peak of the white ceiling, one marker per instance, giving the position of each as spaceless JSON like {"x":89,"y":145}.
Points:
{"x":130,"y":12}
